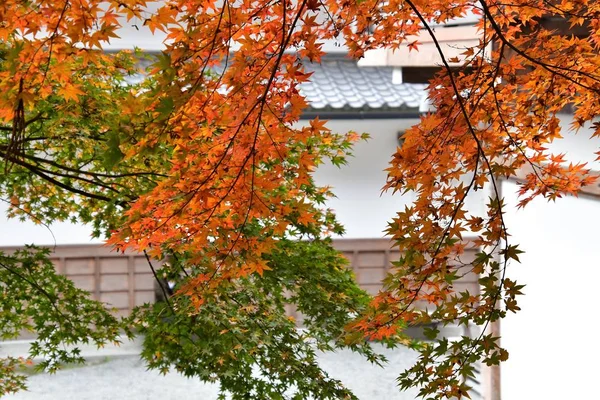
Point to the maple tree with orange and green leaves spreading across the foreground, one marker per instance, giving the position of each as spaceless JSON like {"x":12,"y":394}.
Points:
{"x":203,"y":163}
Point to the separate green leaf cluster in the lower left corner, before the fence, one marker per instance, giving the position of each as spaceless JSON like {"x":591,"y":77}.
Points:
{"x":34,"y":298}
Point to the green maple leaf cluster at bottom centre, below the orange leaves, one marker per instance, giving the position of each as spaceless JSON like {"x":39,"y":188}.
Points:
{"x":242,"y":337}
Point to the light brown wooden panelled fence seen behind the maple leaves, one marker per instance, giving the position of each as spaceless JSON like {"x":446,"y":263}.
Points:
{"x":125,"y":280}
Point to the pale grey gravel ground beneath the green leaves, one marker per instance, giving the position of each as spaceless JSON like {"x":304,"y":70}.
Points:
{"x":127,"y":378}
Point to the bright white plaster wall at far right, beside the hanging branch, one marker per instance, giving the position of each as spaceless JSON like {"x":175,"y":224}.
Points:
{"x":552,"y":340}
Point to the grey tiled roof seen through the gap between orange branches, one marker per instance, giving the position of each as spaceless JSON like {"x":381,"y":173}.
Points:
{"x":341,"y":85}
